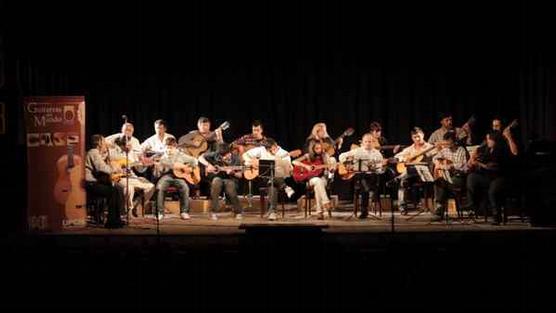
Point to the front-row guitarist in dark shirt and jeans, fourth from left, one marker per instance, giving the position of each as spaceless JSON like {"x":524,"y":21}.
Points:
{"x":227,"y":179}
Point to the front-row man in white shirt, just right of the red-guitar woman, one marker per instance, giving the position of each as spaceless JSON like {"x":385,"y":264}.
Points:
{"x":372,"y":165}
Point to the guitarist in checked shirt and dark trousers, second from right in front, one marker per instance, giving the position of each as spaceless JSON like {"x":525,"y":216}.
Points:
{"x":451,"y":159}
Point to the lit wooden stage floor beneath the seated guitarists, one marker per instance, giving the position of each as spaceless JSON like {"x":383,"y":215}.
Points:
{"x":340,"y":222}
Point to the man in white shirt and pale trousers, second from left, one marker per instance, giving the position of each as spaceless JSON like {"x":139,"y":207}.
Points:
{"x":119,"y":144}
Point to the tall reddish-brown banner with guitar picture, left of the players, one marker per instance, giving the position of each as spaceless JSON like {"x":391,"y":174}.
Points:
{"x":55,"y":162}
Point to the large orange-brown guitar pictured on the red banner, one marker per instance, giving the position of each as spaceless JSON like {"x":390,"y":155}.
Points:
{"x":69,"y":176}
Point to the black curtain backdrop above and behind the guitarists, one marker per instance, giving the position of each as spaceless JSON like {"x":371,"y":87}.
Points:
{"x":288,"y":64}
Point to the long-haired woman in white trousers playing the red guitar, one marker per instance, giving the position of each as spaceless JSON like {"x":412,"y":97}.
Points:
{"x":317,"y":155}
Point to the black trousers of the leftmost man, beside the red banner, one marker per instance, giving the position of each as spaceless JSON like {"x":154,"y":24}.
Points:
{"x":115,"y":196}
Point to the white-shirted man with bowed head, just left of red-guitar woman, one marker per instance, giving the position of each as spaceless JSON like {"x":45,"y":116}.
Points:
{"x":283,"y":168}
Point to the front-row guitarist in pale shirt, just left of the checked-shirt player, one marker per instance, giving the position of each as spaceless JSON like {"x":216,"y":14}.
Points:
{"x":407,"y":179}
